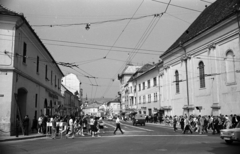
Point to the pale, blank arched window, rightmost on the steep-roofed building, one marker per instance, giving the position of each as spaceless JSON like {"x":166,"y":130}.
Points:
{"x":230,"y":67}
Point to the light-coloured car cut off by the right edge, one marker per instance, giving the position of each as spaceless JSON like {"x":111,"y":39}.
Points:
{"x":230,"y":135}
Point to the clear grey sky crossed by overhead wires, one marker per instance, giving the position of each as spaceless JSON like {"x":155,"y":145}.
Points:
{"x":121,"y":31}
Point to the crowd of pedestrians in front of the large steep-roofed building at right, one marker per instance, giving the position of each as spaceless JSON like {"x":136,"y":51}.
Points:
{"x":202,"y":124}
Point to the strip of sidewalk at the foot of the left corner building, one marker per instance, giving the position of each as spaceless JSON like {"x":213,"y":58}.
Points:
{"x":21,"y":137}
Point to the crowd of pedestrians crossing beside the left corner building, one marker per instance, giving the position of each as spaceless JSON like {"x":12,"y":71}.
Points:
{"x":70,"y":126}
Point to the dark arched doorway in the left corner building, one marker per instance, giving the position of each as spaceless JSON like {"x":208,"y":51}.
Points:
{"x":22,"y":102}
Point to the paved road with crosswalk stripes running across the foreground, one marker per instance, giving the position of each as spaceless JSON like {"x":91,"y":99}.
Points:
{"x":149,"y":139}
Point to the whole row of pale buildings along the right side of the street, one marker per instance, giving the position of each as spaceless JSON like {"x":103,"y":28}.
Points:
{"x":198,"y":74}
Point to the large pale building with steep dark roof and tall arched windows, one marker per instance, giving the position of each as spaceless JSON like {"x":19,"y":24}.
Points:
{"x":200,"y":73}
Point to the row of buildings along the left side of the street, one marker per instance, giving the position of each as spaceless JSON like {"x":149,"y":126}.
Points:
{"x":30,"y":79}
